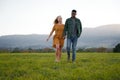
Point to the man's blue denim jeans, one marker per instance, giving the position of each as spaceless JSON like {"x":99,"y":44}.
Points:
{"x":72,"y":41}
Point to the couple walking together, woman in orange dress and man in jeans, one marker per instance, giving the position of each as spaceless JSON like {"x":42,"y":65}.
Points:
{"x":71,"y":30}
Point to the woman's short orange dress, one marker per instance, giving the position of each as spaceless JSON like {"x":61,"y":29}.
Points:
{"x":58,"y":37}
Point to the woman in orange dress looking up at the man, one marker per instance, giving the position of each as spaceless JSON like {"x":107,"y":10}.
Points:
{"x":58,"y":40}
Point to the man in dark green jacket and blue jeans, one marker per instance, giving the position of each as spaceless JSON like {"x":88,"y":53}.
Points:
{"x":72,"y":29}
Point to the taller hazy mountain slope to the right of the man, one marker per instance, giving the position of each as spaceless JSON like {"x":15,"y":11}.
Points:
{"x":102,"y":36}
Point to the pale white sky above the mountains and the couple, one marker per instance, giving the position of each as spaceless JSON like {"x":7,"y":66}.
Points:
{"x":37,"y":16}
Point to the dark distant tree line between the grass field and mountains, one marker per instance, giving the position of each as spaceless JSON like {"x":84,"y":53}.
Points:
{"x":50,"y":50}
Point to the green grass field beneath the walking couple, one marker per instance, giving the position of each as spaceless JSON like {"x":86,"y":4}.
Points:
{"x":41,"y":66}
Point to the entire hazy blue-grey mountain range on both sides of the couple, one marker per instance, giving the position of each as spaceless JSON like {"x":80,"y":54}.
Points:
{"x":103,"y":36}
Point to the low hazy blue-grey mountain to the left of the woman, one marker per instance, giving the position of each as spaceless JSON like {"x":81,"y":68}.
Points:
{"x":24,"y":41}
